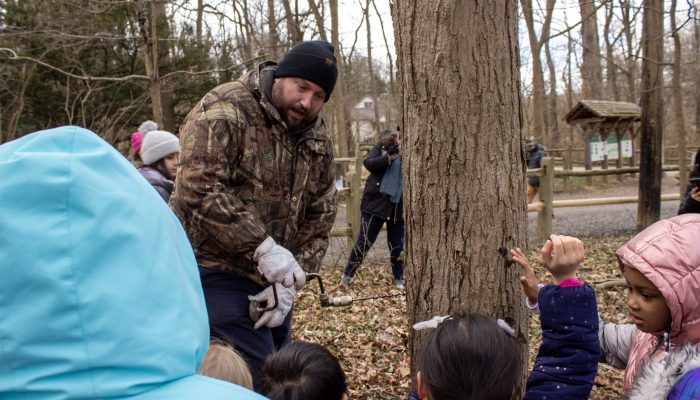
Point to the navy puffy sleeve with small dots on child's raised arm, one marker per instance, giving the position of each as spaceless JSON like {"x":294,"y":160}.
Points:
{"x":567,"y":362}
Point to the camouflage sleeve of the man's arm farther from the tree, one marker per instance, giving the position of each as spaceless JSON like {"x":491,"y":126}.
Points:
{"x":217,"y":221}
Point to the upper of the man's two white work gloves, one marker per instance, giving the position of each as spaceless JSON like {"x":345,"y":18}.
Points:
{"x":278,"y":265}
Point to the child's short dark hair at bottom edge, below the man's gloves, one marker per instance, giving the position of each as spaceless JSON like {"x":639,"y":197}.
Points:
{"x":303,"y":371}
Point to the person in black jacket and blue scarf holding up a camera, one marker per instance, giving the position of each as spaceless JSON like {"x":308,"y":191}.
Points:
{"x":382,"y":203}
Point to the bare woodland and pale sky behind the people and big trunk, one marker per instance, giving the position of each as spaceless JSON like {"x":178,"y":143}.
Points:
{"x":110,"y":64}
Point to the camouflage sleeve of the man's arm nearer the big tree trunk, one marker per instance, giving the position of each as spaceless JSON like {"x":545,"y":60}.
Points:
{"x":314,"y":232}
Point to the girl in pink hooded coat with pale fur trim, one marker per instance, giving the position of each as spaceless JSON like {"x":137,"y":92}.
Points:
{"x":660,"y":351}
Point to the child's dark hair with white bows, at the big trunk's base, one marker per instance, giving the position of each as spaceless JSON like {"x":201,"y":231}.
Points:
{"x":469,"y":356}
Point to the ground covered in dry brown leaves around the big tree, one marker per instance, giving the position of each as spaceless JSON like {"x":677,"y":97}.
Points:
{"x":370,"y":337}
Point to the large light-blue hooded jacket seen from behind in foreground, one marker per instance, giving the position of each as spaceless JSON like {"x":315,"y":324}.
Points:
{"x":99,"y":291}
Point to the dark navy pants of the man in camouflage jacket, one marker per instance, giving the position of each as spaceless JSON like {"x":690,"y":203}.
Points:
{"x":226,"y":296}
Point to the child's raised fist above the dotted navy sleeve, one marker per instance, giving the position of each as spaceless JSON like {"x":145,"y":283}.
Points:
{"x":562,"y":255}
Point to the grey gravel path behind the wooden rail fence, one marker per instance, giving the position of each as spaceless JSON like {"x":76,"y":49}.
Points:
{"x":573,"y":221}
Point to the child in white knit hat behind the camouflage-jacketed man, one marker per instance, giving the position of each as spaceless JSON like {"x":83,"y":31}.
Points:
{"x":160,"y":152}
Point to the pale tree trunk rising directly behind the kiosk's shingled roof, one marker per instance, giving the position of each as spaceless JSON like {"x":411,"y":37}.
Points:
{"x":591,"y":74}
